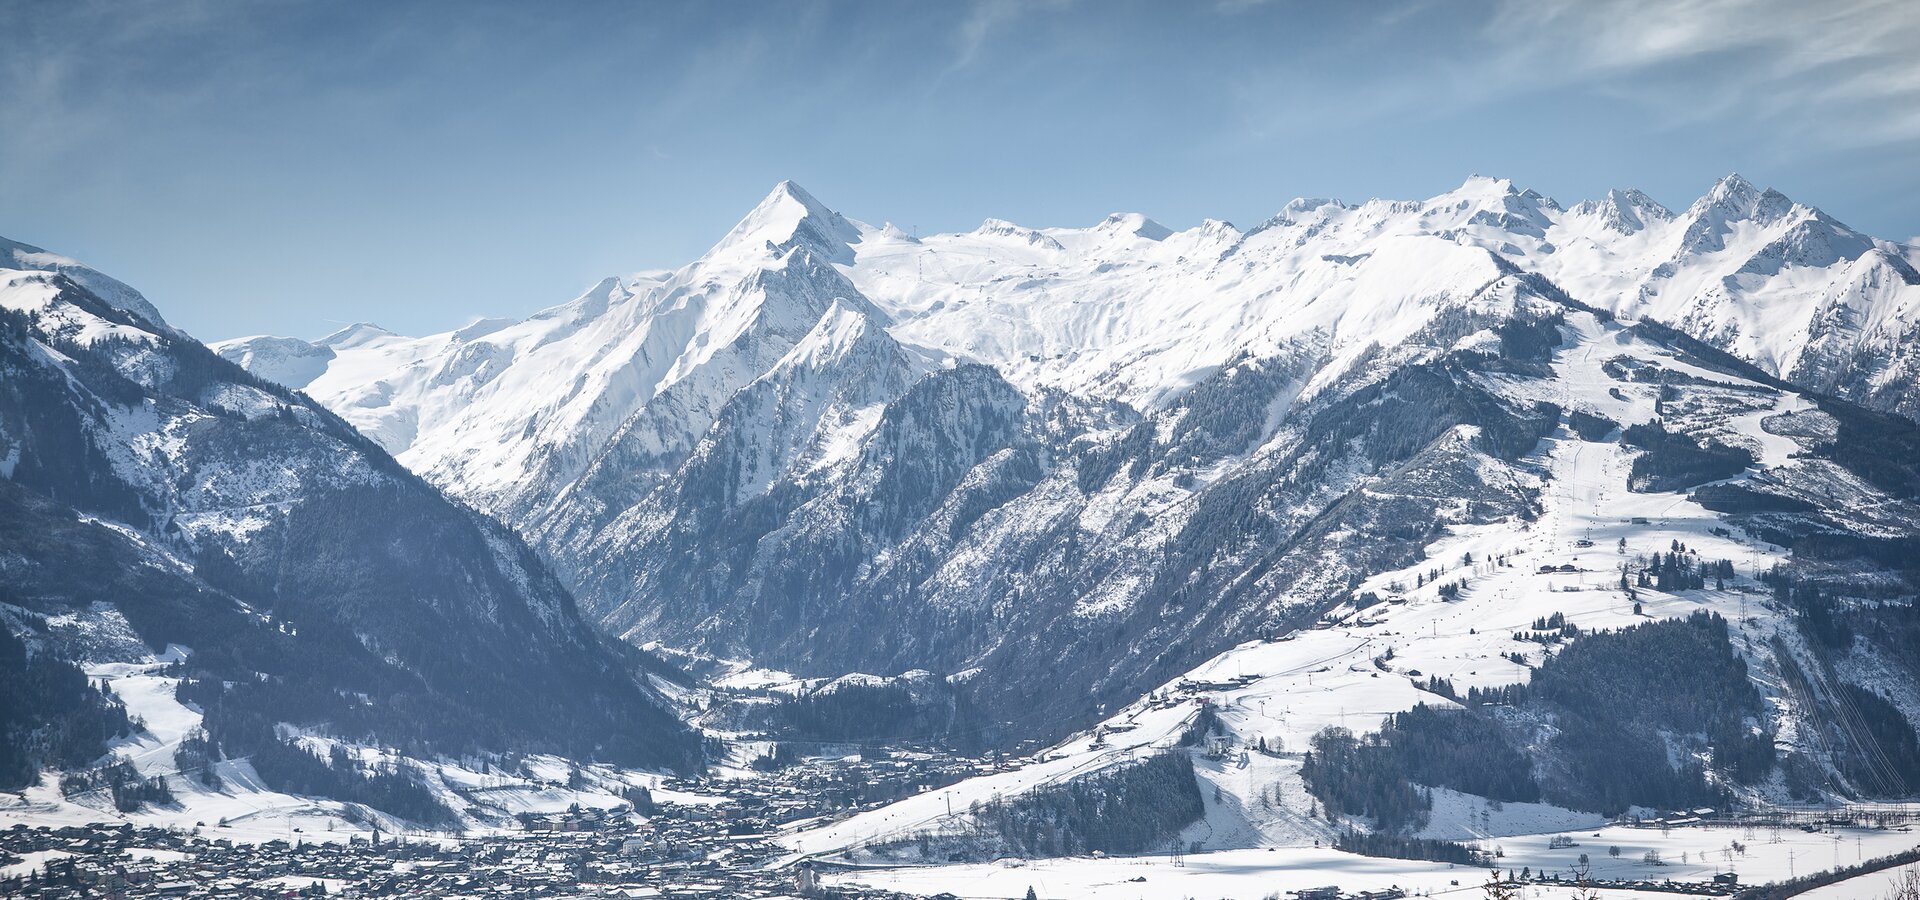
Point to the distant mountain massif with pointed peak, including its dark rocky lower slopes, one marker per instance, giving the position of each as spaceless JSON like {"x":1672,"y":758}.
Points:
{"x":838,"y":446}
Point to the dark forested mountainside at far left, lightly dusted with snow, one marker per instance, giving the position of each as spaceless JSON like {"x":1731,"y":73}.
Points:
{"x":316,"y":584}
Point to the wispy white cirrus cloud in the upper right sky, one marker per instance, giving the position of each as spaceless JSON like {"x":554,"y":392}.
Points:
{"x":1840,"y":74}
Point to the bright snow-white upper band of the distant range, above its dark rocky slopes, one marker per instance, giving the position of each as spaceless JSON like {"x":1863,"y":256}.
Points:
{"x":1126,"y":310}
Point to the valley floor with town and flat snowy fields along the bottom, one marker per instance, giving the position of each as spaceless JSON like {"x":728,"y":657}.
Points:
{"x":734,"y":843}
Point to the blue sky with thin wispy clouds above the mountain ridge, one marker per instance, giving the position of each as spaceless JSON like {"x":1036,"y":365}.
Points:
{"x":289,"y":168}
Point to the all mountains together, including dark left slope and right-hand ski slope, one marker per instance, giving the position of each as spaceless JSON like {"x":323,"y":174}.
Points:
{"x":1109,"y":483}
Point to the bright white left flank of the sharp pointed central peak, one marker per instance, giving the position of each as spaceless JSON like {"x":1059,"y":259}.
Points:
{"x":510,"y":414}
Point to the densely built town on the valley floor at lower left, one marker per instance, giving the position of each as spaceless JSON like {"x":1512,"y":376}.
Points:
{"x":709,"y":847}
